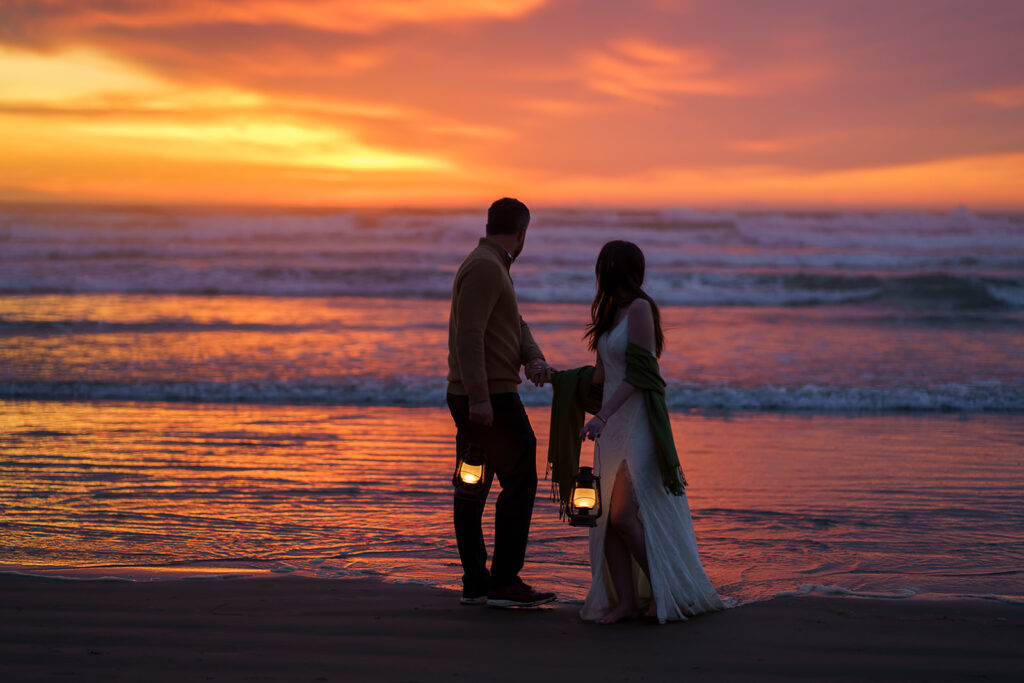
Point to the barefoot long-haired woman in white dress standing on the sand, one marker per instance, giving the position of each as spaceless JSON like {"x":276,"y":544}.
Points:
{"x":644,"y":553}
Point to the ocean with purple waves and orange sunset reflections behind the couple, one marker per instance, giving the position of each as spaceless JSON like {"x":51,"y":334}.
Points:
{"x":199,"y":393}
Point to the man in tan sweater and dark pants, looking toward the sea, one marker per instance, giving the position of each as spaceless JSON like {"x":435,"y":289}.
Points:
{"x":489,"y":343}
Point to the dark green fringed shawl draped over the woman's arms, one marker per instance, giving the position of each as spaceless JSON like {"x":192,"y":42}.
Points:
{"x":576,"y":395}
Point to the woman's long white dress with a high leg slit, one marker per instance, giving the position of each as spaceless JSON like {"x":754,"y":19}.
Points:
{"x":678,"y":582}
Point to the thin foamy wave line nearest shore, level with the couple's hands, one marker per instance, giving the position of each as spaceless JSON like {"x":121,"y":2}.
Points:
{"x":988,"y":397}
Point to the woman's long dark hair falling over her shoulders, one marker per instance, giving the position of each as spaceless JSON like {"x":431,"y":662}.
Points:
{"x":620,"y":272}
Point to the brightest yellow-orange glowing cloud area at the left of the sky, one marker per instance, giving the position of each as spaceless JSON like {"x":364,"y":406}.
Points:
{"x":130,"y":122}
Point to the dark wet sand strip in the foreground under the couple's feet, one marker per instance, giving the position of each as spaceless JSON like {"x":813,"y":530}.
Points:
{"x":293,"y":629}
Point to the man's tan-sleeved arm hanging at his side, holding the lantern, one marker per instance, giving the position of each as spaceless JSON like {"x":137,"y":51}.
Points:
{"x":478,"y":294}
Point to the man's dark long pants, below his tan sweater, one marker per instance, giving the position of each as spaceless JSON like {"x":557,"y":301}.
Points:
{"x":510,"y":452}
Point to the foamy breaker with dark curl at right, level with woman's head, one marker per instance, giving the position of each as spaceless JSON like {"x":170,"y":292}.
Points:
{"x":929,"y":291}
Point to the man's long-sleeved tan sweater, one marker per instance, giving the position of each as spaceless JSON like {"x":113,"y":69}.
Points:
{"x":489,"y":341}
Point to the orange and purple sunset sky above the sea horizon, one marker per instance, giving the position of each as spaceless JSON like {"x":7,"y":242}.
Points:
{"x":726,"y":104}
